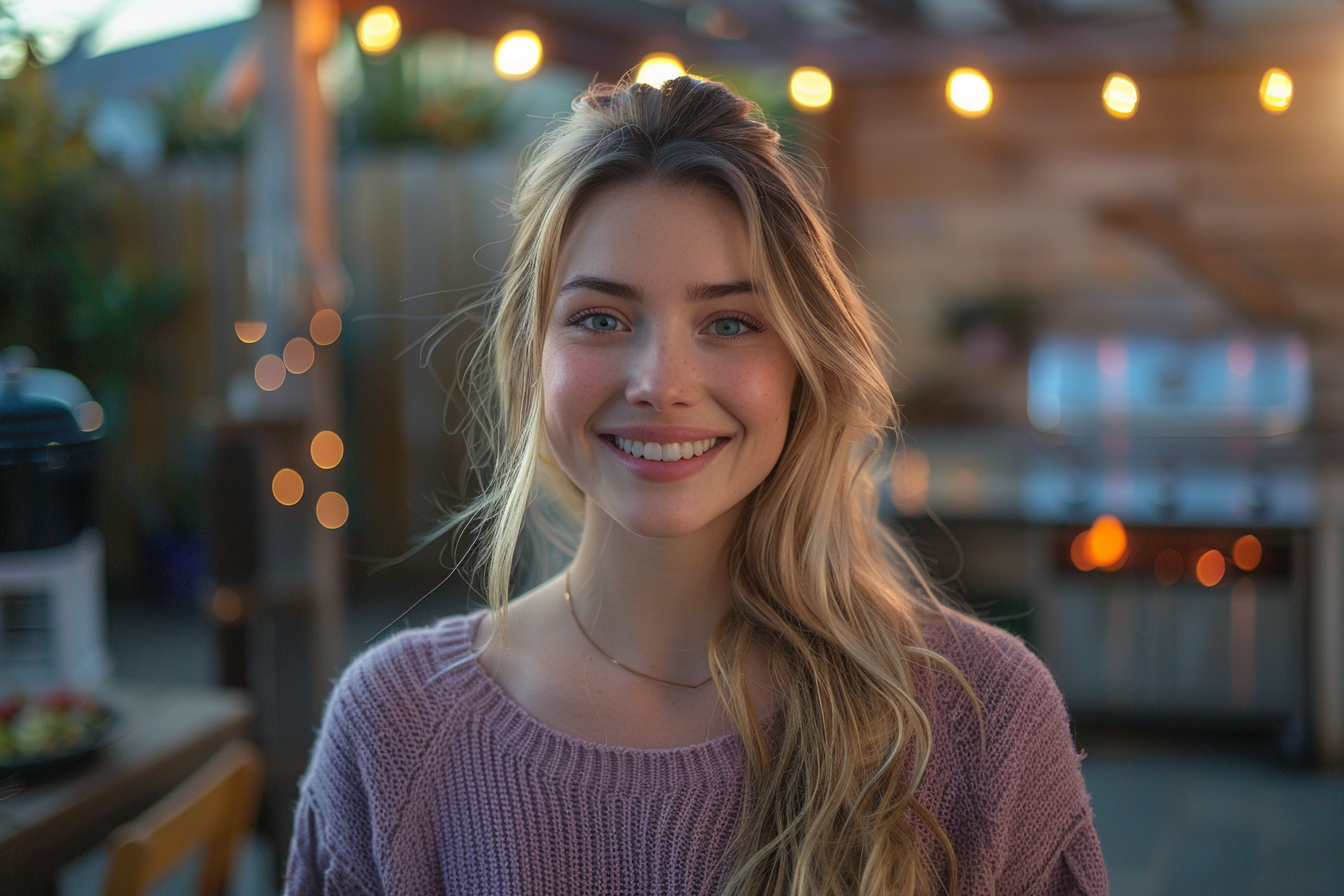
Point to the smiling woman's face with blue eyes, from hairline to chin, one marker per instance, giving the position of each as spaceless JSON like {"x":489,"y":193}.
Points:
{"x":659,"y":349}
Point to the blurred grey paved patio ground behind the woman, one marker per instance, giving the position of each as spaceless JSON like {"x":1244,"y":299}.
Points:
{"x":1177,"y":817}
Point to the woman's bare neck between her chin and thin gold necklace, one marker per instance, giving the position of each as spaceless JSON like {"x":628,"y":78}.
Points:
{"x":653,"y":602}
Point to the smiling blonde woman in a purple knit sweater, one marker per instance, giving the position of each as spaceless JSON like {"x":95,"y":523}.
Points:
{"x":741,"y":684}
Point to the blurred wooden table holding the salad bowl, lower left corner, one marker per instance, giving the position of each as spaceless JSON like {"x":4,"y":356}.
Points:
{"x":166,"y":734}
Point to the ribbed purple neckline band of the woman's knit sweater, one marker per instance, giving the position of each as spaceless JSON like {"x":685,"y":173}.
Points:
{"x":718,"y":760}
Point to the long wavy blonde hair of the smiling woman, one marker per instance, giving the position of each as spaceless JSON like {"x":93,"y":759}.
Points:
{"x":835,"y":601}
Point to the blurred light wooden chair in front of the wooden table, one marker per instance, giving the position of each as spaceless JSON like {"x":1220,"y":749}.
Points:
{"x":213,"y":811}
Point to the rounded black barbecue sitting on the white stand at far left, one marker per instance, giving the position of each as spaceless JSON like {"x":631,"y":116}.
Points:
{"x":50,"y":429}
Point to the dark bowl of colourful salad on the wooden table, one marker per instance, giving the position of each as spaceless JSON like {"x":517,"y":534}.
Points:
{"x":41,"y":731}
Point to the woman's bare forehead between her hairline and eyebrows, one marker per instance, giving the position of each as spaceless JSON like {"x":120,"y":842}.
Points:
{"x":647,"y":233}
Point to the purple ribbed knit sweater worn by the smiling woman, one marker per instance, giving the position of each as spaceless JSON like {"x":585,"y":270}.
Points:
{"x":428,"y":778}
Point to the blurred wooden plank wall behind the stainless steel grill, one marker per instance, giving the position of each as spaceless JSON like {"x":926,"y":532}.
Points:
{"x":933,"y":208}
